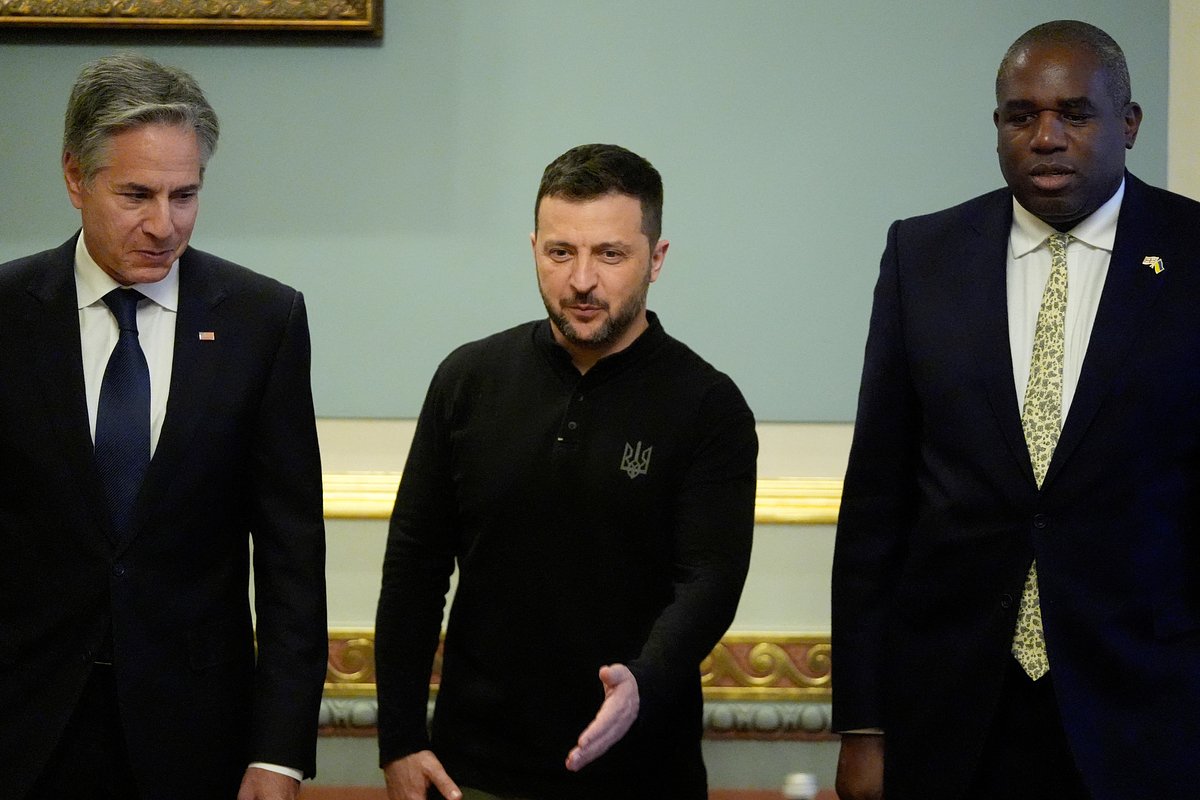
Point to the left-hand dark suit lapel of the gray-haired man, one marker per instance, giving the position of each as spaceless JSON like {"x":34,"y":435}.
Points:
{"x":53,"y":326}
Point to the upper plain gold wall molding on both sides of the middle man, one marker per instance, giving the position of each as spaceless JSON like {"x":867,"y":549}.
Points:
{"x":778,"y":502}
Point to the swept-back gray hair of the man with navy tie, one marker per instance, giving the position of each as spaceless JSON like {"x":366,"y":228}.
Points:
{"x":124,"y":92}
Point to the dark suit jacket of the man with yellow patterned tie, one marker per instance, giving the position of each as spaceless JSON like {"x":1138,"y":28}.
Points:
{"x":941,"y":515}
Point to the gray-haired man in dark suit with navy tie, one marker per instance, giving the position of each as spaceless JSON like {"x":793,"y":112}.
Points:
{"x":155,"y":414}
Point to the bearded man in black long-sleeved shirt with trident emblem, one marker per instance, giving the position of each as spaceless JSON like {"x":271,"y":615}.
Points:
{"x":595,"y":480}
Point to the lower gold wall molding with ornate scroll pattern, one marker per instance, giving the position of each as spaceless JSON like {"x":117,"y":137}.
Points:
{"x":745,"y":667}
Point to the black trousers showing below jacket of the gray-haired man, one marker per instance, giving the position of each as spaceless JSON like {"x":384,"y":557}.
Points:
{"x":91,"y":761}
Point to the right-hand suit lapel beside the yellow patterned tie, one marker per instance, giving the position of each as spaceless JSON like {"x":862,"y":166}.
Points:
{"x":1130,"y":293}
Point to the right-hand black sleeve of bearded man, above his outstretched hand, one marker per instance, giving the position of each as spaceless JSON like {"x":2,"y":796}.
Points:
{"x":713,"y":521}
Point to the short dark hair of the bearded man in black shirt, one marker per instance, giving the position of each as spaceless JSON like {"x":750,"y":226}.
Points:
{"x":592,"y":171}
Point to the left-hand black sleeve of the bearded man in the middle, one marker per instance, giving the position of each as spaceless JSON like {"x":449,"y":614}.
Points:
{"x":417,"y":570}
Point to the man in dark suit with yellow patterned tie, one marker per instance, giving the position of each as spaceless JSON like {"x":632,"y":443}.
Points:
{"x":1017,"y":575}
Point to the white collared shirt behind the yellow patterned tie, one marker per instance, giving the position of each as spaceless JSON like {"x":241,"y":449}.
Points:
{"x":1029,"y":269}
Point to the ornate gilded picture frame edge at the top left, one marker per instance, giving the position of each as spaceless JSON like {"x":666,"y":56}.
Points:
{"x":329,"y":16}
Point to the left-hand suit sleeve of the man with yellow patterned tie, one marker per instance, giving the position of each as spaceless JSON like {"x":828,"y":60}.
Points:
{"x":878,"y":507}
